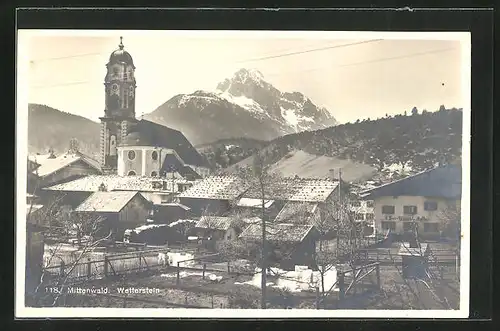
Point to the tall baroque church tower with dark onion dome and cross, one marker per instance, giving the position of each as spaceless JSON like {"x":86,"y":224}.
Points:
{"x":119,"y":112}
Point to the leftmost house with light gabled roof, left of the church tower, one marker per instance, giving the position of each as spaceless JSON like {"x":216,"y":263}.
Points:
{"x":49,"y":169}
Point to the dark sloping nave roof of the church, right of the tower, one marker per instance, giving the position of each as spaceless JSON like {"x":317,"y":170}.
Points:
{"x":147,"y":133}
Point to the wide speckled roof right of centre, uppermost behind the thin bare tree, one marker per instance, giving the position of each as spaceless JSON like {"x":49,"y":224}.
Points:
{"x":296,"y":189}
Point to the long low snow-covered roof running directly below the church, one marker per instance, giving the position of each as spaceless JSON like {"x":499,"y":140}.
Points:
{"x":120,"y":183}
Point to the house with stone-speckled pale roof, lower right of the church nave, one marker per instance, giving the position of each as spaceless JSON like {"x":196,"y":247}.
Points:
{"x":214,"y":195}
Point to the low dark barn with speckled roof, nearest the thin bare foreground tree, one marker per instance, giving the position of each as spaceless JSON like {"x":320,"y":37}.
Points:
{"x":289,"y":244}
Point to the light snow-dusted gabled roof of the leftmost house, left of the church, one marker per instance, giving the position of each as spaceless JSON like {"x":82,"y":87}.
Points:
{"x":49,"y":165}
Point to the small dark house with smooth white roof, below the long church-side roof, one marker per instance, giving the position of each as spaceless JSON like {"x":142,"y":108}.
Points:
{"x":120,"y":211}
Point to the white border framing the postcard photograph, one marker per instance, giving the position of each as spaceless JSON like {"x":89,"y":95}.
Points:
{"x":21,"y":153}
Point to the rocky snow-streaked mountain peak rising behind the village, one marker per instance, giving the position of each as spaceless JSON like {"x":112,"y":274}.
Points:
{"x":244,"y":105}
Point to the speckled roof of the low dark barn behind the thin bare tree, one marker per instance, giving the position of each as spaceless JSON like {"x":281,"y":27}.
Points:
{"x":277,"y":232}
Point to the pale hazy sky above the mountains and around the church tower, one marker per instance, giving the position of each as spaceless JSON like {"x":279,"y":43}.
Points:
{"x":353,"y":82}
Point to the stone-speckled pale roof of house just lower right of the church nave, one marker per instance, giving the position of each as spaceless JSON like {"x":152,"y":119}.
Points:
{"x":216,"y":188}
